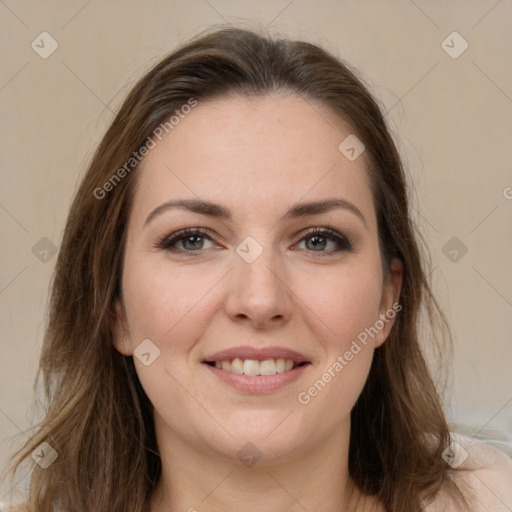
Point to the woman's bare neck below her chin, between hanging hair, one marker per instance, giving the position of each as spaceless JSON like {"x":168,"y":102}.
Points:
{"x":312,"y":478}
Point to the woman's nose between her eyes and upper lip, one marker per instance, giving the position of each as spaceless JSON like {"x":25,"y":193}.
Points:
{"x":259,"y":292}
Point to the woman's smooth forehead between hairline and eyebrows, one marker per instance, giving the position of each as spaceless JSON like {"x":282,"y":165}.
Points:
{"x":254,"y":155}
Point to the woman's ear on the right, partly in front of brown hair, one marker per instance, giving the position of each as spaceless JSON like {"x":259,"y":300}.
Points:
{"x":389,"y":305}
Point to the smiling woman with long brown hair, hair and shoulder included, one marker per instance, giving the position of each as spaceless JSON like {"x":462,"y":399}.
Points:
{"x":235,"y":306}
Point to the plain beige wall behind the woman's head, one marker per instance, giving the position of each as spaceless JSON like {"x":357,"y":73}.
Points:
{"x":452,"y":117}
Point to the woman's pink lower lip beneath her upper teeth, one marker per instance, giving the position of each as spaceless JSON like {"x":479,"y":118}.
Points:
{"x":258,"y":383}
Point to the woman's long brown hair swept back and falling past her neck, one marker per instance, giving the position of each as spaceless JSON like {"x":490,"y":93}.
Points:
{"x":99,"y":419}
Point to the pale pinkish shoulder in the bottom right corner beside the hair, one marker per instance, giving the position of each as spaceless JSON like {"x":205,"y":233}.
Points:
{"x":483,"y":474}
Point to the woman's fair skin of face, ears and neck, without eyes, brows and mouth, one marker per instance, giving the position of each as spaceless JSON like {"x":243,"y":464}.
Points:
{"x":256,"y":157}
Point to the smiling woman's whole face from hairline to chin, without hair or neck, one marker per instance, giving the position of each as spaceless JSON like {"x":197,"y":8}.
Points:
{"x":269,"y":276}
